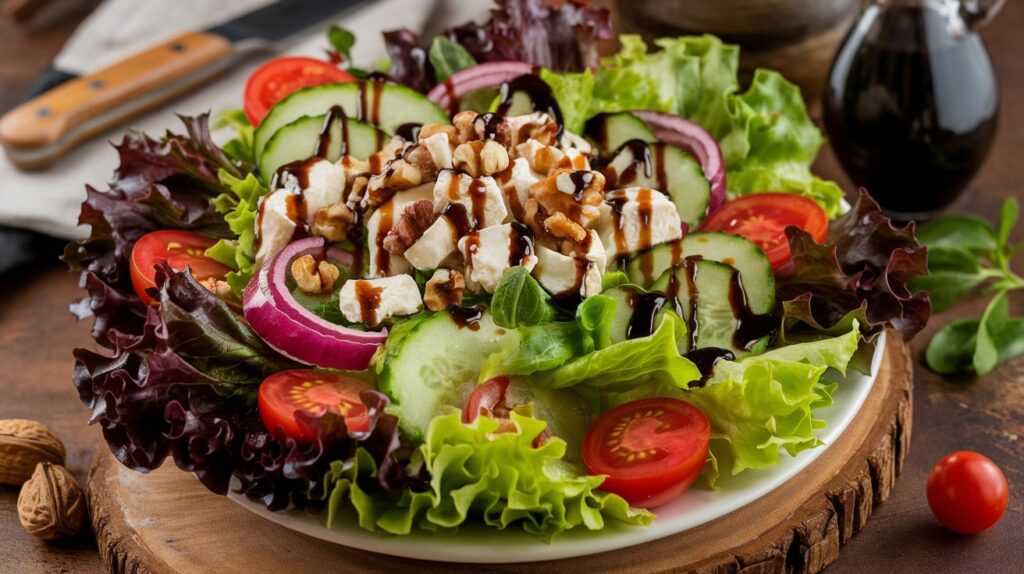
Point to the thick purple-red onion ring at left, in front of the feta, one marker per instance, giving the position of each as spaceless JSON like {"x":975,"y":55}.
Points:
{"x":294,"y":331}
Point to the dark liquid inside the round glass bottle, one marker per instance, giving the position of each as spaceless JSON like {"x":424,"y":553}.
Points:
{"x":912,"y":109}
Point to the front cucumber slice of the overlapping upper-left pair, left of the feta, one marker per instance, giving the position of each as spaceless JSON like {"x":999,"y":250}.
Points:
{"x":298,"y":141}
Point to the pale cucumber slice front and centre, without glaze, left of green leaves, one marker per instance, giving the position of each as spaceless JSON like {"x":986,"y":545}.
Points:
{"x":434,"y":365}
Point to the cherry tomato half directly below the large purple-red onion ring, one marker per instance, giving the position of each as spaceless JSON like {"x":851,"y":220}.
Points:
{"x":305,"y":390}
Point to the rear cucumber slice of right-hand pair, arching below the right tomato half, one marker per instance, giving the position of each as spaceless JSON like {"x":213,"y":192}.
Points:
{"x":747,"y":257}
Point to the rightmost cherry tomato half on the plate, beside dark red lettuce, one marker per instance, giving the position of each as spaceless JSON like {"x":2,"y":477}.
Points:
{"x":763,"y":218}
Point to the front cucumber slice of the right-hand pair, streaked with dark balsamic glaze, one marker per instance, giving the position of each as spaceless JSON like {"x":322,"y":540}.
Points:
{"x":704,"y":292}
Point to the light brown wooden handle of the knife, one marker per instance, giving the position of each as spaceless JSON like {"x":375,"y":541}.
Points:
{"x":38,"y":133}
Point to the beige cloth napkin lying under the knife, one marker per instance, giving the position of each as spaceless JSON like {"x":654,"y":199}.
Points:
{"x":49,"y":201}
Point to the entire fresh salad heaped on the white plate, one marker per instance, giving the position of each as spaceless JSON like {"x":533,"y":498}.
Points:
{"x":497,"y":281}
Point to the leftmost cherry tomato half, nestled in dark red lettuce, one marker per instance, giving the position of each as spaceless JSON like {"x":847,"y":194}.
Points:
{"x":181,"y":250}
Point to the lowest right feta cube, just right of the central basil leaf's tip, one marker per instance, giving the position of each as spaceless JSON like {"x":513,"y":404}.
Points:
{"x":579,"y":274}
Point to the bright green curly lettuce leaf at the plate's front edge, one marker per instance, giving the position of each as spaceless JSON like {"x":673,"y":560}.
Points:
{"x":479,"y":473}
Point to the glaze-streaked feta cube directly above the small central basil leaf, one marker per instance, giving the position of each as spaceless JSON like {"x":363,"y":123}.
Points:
{"x":490,"y":252}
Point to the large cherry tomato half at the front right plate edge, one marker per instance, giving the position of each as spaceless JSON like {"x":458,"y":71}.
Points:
{"x":651,"y":450}
